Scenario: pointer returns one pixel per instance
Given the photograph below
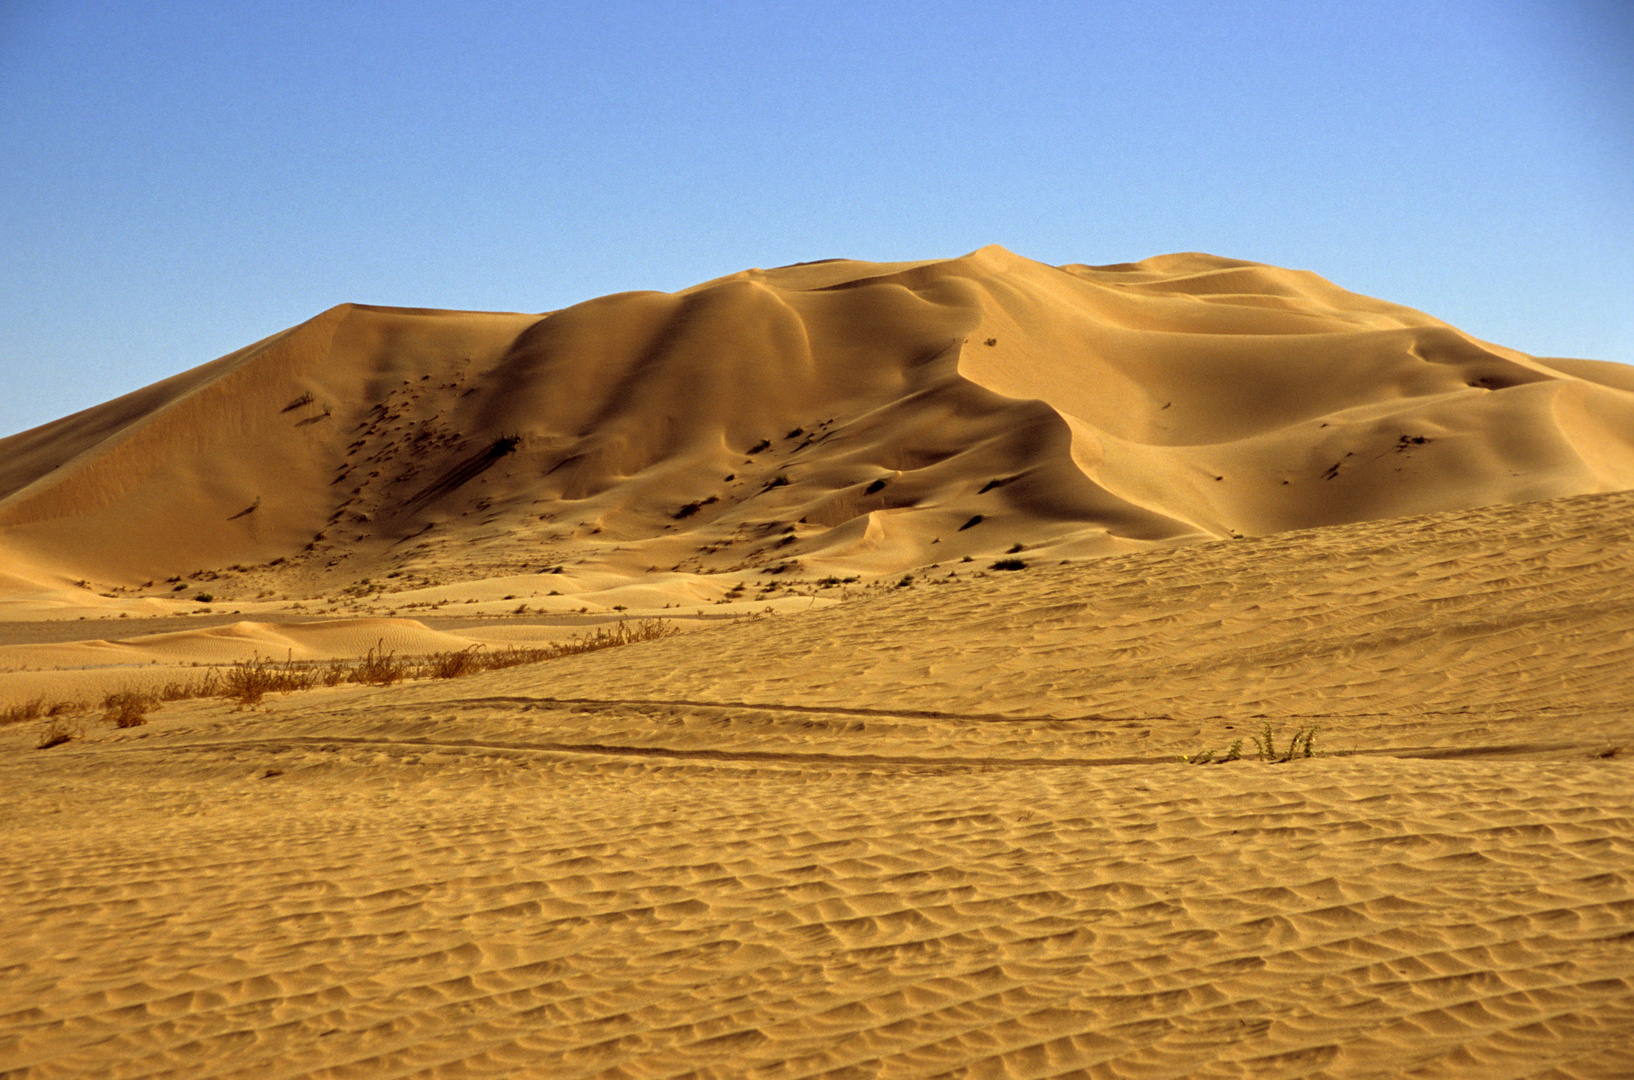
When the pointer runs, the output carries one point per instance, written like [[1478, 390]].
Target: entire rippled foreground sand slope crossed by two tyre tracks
[[935, 834]]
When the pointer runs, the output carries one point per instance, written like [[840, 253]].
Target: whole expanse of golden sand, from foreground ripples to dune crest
[[929, 823]]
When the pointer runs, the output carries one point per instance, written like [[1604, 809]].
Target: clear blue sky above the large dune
[[182, 179]]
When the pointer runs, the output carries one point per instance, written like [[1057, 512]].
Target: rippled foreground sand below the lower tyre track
[[398, 911]]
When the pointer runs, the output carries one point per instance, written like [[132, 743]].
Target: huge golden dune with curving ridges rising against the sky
[[829, 417]]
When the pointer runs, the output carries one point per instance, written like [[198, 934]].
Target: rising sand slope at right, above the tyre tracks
[[1442, 618]]
